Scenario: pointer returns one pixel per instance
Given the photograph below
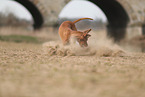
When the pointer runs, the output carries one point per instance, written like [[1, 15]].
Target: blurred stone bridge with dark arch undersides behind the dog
[[120, 13]]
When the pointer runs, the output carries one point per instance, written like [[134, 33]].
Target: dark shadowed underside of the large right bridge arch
[[118, 18]]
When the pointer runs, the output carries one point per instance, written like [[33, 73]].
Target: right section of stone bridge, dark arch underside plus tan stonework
[[126, 17]]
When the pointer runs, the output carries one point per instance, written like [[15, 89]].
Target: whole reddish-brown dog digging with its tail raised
[[68, 29]]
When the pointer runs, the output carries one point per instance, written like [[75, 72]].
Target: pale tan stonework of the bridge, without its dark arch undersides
[[135, 9]]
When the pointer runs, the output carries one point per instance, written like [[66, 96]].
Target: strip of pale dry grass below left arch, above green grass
[[47, 34]]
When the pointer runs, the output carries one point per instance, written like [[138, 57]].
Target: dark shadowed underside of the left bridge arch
[[33, 9]]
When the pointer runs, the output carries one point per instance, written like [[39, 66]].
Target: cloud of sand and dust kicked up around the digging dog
[[99, 45]]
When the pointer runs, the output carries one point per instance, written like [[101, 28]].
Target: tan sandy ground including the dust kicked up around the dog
[[104, 69]]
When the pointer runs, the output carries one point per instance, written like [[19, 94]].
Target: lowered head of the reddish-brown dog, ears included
[[82, 37]]
